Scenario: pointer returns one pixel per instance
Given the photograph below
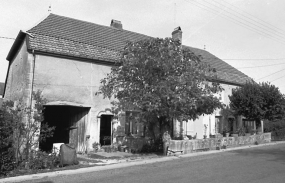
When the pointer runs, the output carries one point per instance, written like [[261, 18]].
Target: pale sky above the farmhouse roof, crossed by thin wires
[[247, 34]]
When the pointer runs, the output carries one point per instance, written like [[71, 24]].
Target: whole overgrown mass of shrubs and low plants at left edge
[[20, 133]]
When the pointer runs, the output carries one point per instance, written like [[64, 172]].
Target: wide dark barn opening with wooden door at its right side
[[70, 124]]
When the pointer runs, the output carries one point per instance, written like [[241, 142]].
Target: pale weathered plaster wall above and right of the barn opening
[[73, 81]]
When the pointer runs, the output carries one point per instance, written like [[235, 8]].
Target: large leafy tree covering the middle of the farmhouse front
[[162, 80]]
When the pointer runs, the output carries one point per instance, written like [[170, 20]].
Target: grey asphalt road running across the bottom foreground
[[264, 164]]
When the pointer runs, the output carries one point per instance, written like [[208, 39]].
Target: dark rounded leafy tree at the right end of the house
[[257, 102]]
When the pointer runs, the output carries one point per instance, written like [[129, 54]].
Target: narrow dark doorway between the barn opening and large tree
[[106, 129]]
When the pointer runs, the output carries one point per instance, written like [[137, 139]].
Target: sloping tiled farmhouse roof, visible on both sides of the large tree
[[71, 37]]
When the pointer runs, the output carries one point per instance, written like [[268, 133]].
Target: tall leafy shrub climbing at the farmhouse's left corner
[[29, 129]]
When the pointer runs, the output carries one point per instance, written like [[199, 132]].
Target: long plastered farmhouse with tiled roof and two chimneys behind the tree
[[66, 58]]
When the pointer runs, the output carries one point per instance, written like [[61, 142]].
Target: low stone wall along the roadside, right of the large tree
[[190, 146]]
